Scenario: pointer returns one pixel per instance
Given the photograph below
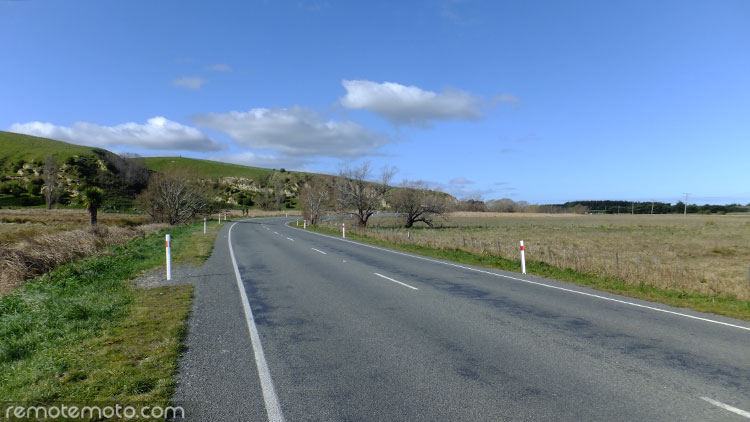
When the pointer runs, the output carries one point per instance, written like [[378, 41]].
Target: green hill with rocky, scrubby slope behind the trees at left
[[22, 163]]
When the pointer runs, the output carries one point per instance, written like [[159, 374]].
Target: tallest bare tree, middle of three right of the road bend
[[356, 192]]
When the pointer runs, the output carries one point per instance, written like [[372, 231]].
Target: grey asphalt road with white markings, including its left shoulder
[[351, 332]]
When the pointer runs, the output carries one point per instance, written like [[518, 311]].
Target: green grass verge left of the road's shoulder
[[83, 334]]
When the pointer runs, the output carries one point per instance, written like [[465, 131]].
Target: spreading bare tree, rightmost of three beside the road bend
[[417, 203]]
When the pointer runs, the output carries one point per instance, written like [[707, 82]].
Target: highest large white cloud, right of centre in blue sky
[[409, 104]]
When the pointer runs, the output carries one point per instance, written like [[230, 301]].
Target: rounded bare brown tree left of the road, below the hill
[[174, 197]]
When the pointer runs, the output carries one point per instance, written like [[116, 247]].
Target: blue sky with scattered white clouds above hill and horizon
[[542, 101]]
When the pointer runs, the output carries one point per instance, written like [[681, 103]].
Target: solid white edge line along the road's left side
[[273, 409]]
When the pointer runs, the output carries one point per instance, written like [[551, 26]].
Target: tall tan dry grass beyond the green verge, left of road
[[37, 255]]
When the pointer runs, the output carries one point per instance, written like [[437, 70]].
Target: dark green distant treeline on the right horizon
[[627, 207]]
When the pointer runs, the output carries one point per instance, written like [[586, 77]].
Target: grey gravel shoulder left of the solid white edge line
[[217, 378]]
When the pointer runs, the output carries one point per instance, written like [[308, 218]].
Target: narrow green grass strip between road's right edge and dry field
[[721, 305]]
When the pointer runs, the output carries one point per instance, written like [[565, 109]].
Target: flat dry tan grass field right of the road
[[705, 254]]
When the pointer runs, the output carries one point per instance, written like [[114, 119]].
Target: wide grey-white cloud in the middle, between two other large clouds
[[294, 131]]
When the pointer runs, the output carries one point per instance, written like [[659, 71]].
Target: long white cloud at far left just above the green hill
[[157, 133]]
